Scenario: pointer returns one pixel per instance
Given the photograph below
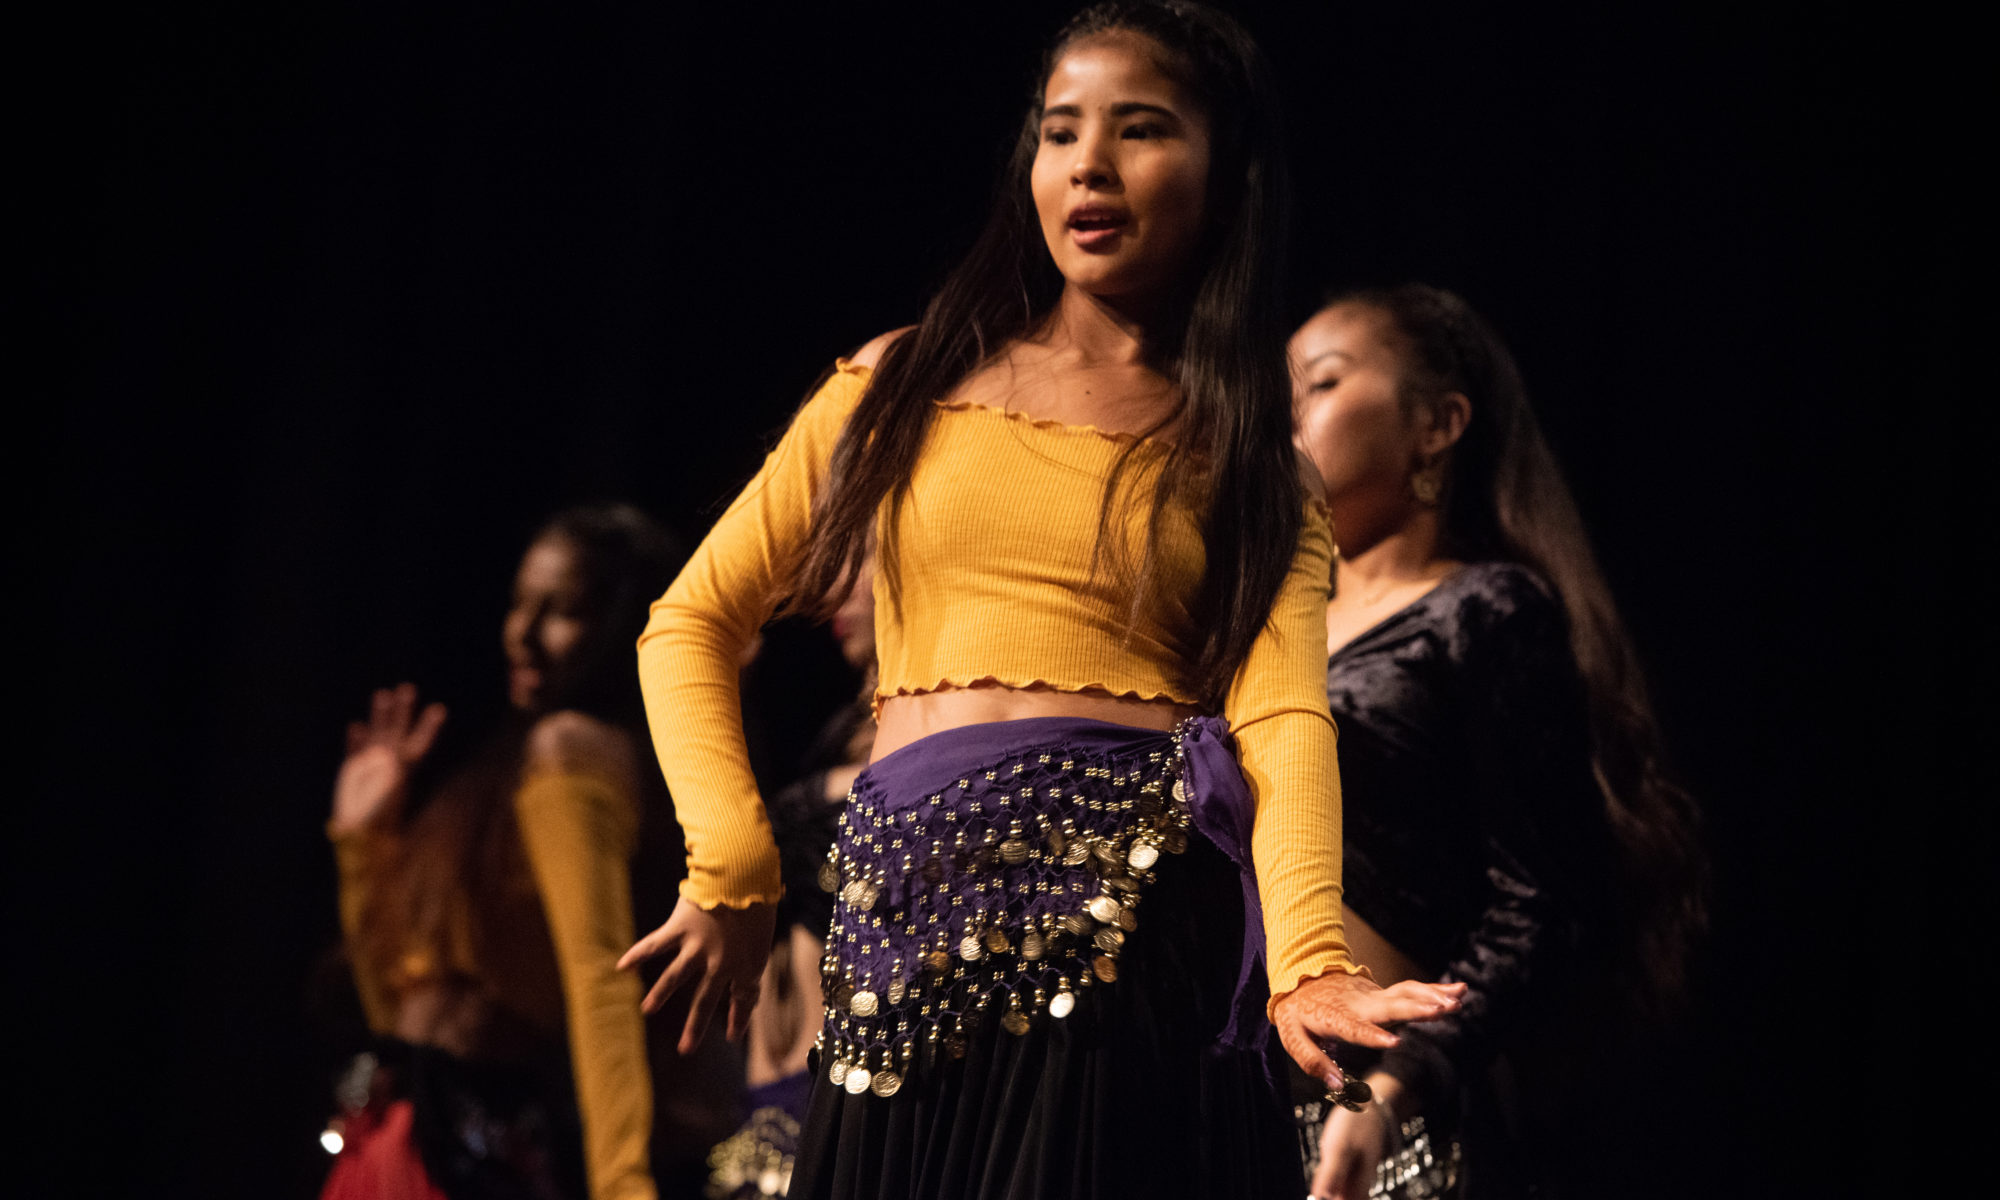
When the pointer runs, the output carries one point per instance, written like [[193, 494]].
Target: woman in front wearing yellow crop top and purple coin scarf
[[1059, 893]]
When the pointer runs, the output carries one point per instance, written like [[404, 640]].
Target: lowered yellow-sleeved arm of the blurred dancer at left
[[579, 827]]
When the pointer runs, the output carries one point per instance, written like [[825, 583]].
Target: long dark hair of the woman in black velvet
[[1505, 499]]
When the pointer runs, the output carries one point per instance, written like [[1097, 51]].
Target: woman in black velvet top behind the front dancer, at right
[[1509, 821]]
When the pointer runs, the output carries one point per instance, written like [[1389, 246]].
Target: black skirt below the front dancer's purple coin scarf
[[1131, 1097]]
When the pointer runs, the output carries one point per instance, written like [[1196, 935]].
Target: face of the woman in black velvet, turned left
[[1347, 403]]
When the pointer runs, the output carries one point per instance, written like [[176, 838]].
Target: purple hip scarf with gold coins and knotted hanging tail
[[997, 871]]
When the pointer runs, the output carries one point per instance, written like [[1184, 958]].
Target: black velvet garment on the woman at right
[[1475, 843]]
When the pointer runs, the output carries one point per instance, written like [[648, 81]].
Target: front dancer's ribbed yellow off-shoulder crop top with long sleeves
[[1003, 513]]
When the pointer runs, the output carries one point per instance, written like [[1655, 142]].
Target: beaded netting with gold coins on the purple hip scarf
[[995, 897]]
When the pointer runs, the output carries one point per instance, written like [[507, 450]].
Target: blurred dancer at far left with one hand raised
[[485, 915]]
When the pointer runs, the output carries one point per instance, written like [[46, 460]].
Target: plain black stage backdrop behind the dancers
[[349, 297]]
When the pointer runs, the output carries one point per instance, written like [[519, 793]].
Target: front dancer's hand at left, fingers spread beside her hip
[[721, 951]]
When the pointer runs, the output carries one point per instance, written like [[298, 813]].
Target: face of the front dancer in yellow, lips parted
[[1123, 169]]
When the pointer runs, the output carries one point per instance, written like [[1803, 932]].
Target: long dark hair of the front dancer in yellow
[[1225, 347]]
